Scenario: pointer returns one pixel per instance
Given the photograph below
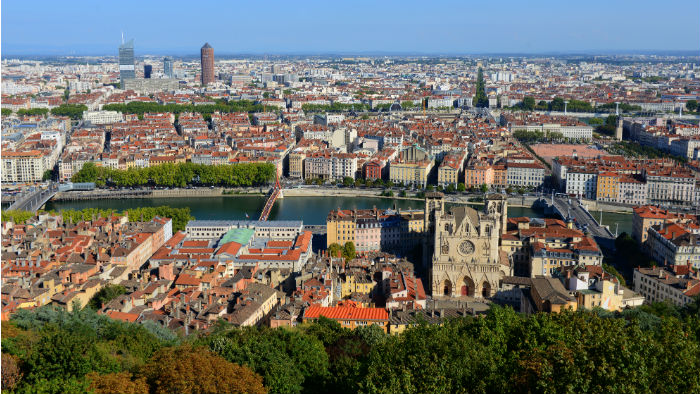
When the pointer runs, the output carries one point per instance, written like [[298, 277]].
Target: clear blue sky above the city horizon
[[337, 26]]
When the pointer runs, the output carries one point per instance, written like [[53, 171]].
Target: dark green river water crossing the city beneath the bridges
[[312, 210]]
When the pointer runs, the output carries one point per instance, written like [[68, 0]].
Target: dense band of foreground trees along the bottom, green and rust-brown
[[649, 349]]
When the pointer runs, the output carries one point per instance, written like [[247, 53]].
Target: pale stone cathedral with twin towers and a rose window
[[466, 258]]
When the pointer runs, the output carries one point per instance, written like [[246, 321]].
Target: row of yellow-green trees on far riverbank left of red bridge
[[179, 175]]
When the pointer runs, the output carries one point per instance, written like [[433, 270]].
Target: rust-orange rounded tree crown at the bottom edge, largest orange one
[[189, 370]]
